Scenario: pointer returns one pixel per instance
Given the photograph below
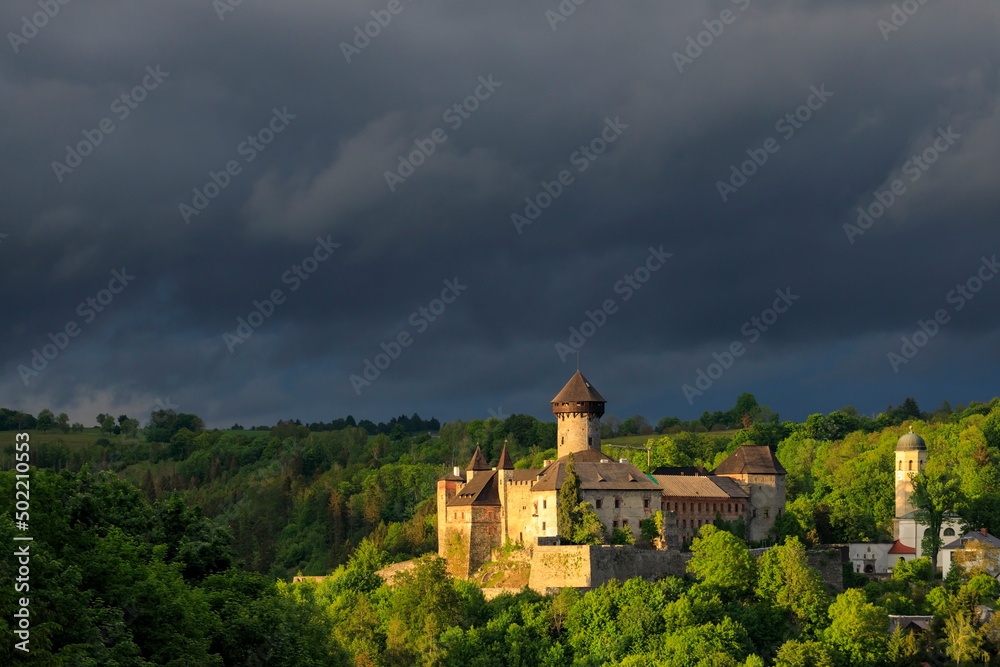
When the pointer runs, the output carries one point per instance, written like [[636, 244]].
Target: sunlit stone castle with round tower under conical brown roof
[[486, 507]]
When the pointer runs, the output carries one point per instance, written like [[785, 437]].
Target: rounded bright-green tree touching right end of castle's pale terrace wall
[[722, 562]]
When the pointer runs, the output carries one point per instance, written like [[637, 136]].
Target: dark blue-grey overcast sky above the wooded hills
[[309, 115]]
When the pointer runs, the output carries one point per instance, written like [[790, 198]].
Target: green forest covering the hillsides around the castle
[[173, 544]]
